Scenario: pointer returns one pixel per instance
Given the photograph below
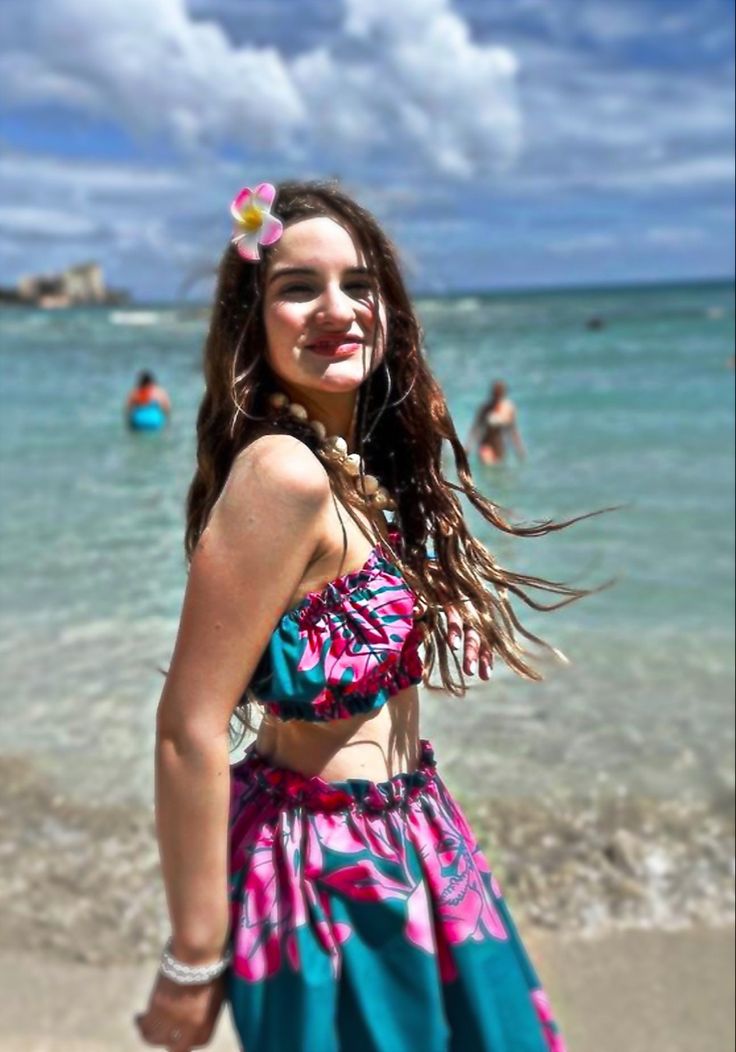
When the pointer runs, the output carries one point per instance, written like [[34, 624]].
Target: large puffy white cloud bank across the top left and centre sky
[[428, 90]]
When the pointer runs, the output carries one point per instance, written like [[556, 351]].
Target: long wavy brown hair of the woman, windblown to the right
[[403, 424]]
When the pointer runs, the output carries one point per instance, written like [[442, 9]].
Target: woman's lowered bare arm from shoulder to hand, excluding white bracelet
[[262, 535]]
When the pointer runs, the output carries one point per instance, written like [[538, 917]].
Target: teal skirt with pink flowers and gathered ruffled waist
[[365, 919]]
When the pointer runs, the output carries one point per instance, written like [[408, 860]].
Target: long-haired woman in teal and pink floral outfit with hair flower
[[328, 885]]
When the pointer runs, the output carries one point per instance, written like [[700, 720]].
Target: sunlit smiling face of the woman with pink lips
[[322, 321]]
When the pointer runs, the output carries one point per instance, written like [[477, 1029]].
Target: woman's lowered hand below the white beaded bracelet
[[181, 1018]]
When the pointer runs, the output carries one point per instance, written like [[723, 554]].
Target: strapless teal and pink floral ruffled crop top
[[345, 650]]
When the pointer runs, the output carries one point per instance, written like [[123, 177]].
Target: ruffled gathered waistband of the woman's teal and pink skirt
[[292, 790]]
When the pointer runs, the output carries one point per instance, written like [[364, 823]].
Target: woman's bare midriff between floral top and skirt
[[373, 745]]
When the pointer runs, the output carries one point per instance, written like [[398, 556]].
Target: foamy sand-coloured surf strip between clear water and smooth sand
[[584, 868]]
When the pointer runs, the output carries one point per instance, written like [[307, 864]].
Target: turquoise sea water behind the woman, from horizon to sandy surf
[[640, 413]]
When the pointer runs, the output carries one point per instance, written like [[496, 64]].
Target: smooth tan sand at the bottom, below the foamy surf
[[643, 992]]
